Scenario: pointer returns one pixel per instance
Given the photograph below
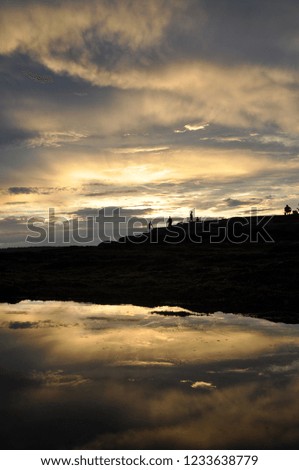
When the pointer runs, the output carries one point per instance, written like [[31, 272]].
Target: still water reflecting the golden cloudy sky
[[119, 377]]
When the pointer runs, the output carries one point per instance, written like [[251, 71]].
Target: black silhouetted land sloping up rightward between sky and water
[[256, 277]]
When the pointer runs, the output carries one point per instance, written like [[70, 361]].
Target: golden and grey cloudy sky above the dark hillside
[[155, 107]]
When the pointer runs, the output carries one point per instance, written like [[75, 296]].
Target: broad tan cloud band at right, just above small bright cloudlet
[[239, 96]]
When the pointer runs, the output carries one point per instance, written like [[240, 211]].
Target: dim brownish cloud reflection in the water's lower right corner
[[251, 403]]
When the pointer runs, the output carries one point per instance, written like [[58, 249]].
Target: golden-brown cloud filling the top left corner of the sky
[[130, 25]]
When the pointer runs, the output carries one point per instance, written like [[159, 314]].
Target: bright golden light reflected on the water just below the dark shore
[[130, 335]]
